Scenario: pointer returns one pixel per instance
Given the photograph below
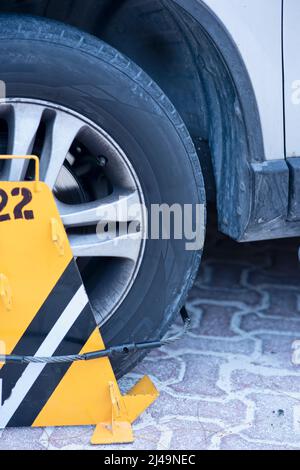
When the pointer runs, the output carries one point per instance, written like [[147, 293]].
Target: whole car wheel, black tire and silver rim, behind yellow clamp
[[103, 130]]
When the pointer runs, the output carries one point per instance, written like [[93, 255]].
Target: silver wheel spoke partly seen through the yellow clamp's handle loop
[[23, 127]]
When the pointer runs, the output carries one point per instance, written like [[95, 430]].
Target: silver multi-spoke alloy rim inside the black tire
[[66, 142]]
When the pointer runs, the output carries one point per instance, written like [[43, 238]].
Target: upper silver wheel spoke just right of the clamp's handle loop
[[60, 134]]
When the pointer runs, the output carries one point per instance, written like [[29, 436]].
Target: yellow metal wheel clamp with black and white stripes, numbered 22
[[52, 372]]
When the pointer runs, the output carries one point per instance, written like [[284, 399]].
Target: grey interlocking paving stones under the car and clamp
[[230, 384]]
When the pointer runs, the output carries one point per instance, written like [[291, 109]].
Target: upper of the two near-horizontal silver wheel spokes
[[121, 206]]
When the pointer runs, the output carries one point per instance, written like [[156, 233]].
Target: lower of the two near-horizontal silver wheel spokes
[[106, 245]]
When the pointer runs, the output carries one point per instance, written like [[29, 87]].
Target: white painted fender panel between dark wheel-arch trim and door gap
[[255, 27]]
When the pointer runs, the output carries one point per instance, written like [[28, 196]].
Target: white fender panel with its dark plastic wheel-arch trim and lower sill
[[248, 36]]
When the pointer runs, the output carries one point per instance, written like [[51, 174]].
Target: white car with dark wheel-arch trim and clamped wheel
[[156, 102]]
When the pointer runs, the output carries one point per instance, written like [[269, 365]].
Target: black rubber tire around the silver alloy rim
[[50, 61]]
